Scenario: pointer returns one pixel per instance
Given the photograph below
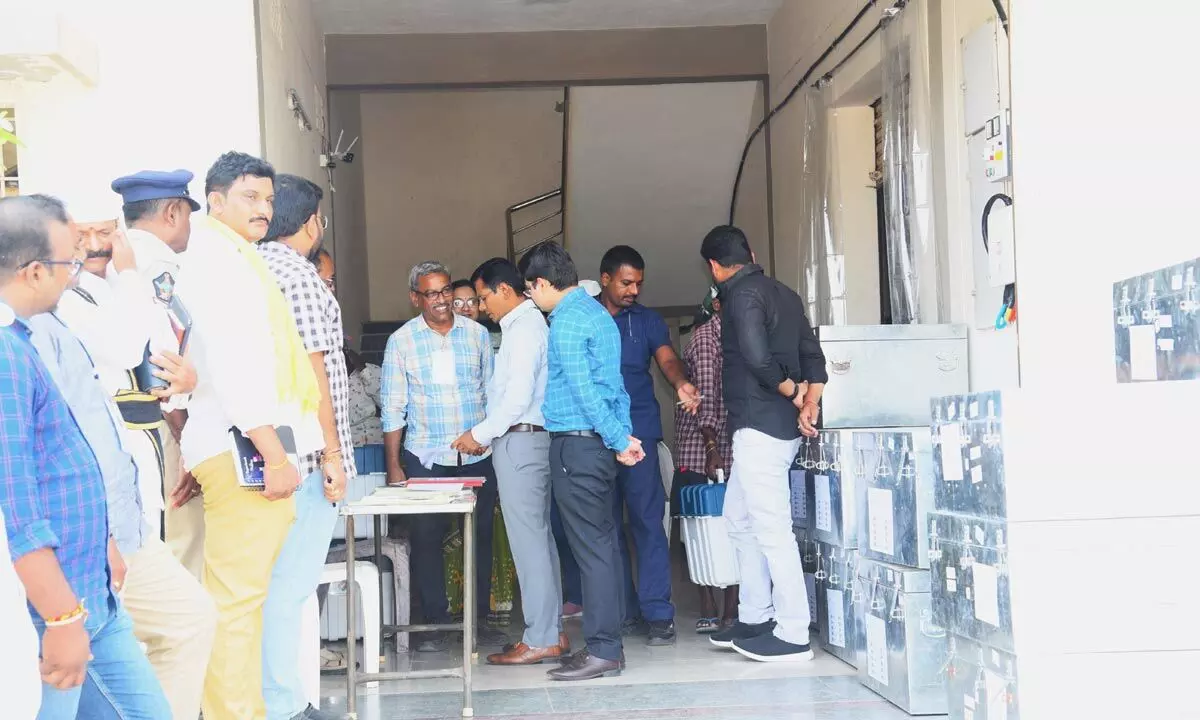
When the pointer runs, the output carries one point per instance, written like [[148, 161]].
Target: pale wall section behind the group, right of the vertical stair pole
[[652, 167]]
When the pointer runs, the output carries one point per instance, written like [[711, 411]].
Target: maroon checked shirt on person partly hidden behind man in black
[[704, 359]]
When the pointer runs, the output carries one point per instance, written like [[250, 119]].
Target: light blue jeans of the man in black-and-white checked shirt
[[293, 580]]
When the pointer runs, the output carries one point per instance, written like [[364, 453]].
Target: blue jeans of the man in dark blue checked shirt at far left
[[121, 683]]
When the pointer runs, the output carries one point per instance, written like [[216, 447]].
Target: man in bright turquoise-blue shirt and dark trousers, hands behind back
[[587, 416]]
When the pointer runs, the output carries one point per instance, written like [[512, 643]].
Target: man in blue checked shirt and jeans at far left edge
[[52, 493]]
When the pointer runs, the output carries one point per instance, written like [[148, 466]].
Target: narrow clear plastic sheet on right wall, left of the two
[[824, 257]]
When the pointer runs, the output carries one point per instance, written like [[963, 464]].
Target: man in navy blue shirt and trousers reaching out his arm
[[644, 338]]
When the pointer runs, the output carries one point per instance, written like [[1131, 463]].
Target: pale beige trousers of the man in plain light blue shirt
[[176, 620]]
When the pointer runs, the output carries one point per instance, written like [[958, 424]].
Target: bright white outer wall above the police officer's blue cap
[[177, 88]]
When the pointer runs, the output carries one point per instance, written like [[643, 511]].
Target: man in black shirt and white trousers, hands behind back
[[775, 375]]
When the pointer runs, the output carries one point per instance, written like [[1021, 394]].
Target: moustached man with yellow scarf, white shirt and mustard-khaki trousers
[[239, 313]]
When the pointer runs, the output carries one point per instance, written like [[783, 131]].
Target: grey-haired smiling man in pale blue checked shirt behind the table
[[435, 377]]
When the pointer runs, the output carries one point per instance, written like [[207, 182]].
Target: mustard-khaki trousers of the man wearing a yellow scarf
[[244, 535]]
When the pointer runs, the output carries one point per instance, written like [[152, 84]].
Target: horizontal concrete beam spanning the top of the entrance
[[675, 53]]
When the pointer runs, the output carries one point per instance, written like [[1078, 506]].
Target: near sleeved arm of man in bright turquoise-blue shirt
[[591, 357]]
